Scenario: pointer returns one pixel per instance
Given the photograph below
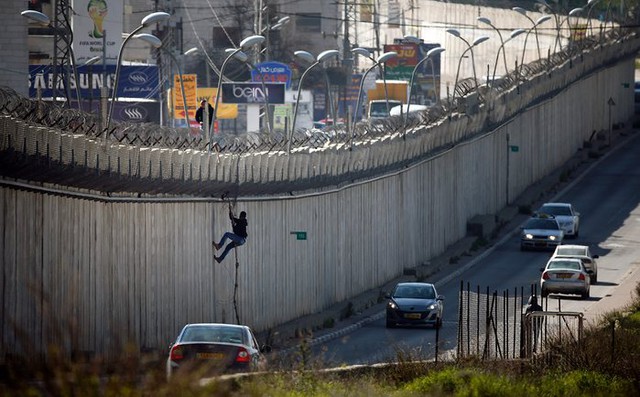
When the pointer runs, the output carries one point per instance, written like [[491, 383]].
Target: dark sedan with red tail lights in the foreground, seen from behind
[[213, 349]]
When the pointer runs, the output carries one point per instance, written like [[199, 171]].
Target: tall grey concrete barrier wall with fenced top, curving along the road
[[90, 272]]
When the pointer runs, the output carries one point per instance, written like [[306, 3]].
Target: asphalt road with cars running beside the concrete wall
[[607, 196]]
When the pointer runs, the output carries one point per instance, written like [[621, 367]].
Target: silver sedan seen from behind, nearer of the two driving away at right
[[565, 276]]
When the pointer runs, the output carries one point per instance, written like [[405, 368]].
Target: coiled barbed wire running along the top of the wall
[[154, 135]]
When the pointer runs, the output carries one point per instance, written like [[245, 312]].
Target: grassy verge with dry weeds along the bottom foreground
[[605, 363]]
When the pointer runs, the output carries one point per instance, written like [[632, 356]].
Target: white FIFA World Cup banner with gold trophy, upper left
[[97, 25]]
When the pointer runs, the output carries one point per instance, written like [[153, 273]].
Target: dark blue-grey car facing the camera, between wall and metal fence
[[414, 304]]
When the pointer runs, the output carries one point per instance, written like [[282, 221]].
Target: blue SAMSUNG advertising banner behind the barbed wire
[[134, 82]]
